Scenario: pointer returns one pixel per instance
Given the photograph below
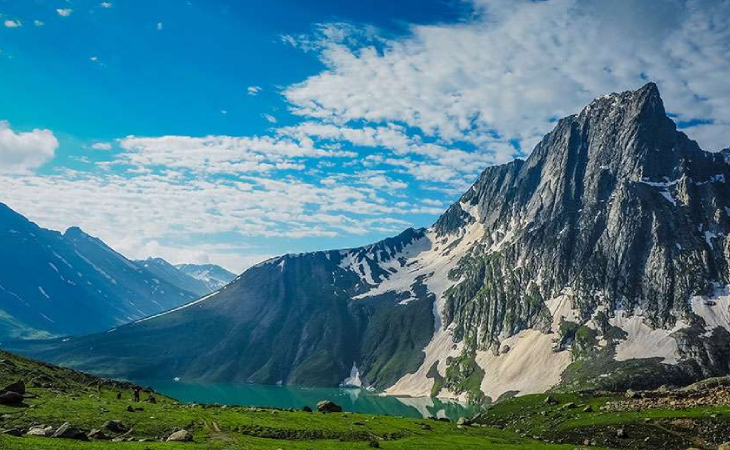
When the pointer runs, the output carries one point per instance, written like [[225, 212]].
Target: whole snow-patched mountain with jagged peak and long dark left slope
[[600, 261]]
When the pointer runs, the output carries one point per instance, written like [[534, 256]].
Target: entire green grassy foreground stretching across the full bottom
[[697, 416]]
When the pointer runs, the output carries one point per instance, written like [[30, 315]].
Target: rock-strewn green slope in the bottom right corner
[[670, 419]]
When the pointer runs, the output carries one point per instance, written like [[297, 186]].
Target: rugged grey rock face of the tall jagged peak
[[614, 203]]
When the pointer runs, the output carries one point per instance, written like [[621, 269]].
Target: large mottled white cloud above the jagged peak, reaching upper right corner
[[505, 75]]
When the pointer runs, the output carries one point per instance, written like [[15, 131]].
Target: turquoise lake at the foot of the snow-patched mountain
[[351, 400]]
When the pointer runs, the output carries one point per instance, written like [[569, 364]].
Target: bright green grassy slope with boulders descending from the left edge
[[87, 403]]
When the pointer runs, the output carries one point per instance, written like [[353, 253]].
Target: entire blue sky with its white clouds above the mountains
[[230, 131]]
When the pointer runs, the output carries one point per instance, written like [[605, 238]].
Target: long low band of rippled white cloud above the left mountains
[[148, 206]]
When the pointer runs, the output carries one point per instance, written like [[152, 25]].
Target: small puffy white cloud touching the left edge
[[25, 150]]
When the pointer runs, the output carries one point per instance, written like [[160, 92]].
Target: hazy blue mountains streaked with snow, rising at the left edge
[[57, 284]]
